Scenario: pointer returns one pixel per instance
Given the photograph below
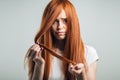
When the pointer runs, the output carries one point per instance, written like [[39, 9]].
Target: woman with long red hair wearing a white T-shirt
[[60, 31]]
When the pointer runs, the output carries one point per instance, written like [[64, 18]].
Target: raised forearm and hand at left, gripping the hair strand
[[36, 63]]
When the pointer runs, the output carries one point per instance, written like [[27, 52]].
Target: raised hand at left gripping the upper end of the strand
[[35, 54]]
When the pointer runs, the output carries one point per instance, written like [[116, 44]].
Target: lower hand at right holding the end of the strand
[[76, 69]]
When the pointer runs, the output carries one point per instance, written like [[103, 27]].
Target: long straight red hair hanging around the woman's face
[[74, 47]]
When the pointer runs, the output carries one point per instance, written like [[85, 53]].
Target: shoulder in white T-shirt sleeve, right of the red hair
[[91, 54]]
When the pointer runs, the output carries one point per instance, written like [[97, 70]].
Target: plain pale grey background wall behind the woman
[[20, 19]]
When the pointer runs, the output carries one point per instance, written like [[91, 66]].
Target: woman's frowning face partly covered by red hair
[[59, 27]]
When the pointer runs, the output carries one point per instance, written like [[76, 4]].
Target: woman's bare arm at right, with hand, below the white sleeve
[[90, 74]]
